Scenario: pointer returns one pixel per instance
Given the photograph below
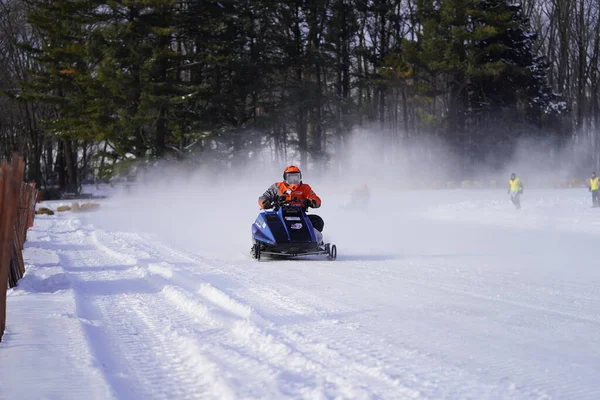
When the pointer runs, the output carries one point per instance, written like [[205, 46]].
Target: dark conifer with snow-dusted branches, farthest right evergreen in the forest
[[506, 42]]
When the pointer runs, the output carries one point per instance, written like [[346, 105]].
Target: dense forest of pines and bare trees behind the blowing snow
[[436, 88]]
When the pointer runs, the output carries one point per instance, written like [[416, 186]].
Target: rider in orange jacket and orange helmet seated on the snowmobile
[[295, 193]]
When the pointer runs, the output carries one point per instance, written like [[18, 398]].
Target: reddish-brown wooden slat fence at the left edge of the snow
[[17, 210]]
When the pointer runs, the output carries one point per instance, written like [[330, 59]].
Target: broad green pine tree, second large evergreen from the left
[[136, 84]]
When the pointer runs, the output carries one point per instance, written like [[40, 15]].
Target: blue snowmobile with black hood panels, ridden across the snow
[[286, 231]]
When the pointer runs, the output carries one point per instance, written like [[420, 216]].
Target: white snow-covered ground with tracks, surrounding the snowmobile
[[441, 294]]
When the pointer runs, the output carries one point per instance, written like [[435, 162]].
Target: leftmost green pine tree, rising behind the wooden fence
[[62, 78]]
